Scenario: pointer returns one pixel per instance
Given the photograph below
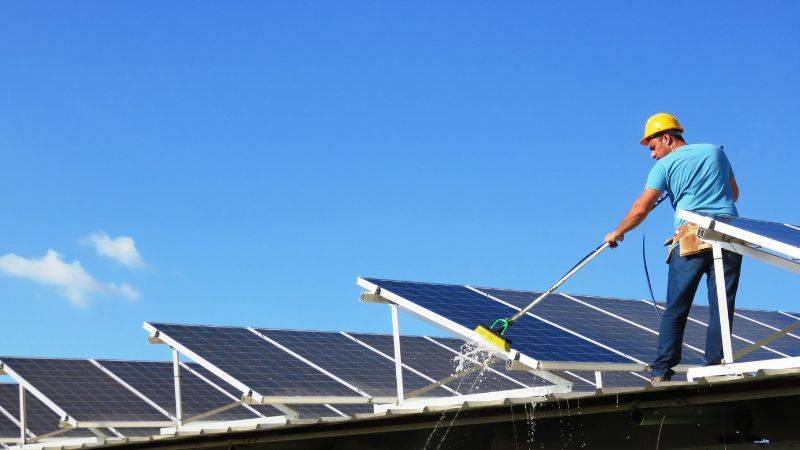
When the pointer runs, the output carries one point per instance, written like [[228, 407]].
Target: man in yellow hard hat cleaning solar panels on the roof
[[697, 177]]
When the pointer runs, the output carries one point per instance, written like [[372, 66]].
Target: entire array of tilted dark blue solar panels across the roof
[[230, 362]]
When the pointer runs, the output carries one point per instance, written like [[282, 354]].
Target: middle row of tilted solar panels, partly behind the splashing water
[[354, 364]]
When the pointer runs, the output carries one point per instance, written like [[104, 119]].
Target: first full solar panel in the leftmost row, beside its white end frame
[[84, 391]]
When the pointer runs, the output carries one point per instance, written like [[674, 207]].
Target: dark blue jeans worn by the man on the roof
[[685, 273]]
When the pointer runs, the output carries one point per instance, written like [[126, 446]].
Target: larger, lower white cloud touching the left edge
[[71, 279]]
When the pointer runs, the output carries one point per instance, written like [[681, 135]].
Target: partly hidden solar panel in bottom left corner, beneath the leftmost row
[[40, 418]]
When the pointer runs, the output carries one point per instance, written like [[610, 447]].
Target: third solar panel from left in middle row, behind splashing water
[[439, 363]]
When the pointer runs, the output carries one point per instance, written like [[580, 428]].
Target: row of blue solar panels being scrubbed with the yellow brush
[[570, 328]]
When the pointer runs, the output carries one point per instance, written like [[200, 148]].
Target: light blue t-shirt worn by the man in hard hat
[[697, 178]]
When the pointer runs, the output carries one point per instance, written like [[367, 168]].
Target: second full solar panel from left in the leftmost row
[[155, 381]]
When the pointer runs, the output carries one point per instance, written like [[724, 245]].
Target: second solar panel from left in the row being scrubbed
[[591, 323]]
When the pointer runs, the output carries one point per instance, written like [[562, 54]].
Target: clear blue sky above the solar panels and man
[[262, 155]]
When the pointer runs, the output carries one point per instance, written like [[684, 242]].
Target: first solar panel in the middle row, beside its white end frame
[[250, 359]]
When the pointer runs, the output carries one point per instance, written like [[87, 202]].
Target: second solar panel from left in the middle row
[[350, 361]]
